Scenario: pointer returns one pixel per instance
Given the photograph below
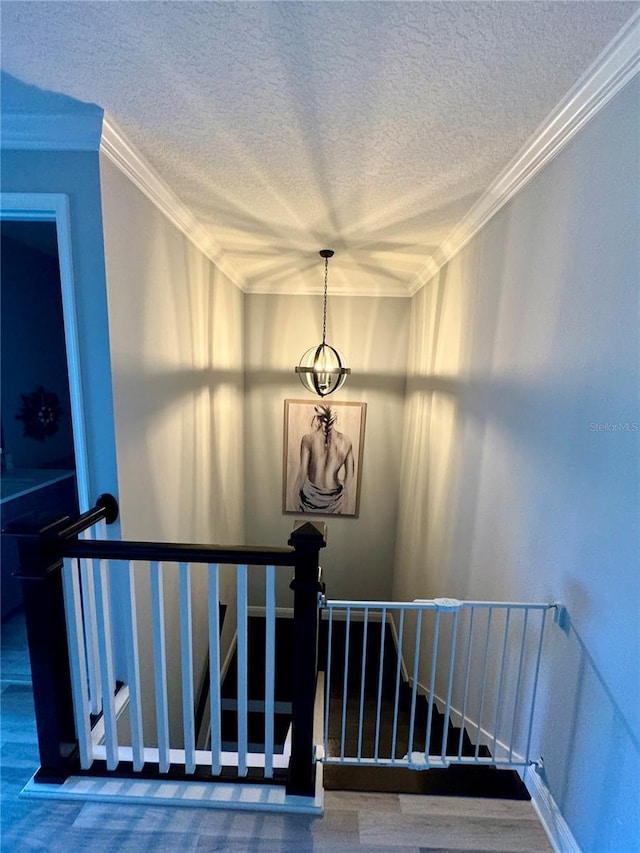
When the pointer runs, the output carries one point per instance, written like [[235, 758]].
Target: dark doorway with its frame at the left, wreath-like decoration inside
[[44, 472]]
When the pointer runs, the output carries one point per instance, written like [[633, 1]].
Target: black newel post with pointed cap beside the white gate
[[307, 540]]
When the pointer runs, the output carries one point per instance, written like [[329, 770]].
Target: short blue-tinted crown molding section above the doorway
[[51, 131]]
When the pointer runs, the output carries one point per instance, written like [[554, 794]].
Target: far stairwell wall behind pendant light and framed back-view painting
[[372, 336]]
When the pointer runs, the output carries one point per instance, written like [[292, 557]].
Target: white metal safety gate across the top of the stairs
[[431, 683]]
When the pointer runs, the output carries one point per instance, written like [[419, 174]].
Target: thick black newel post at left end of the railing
[[40, 571]]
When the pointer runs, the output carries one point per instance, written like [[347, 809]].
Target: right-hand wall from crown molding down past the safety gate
[[520, 347]]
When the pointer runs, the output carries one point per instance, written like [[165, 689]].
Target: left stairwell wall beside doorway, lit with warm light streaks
[[176, 349]]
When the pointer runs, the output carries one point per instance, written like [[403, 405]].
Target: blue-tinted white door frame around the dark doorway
[[54, 207]]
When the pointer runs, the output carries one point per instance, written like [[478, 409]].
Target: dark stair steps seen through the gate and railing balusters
[[456, 780]]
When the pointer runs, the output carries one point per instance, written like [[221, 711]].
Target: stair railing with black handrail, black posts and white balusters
[[68, 582]]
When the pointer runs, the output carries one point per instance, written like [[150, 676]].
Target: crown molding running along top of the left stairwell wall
[[116, 147]]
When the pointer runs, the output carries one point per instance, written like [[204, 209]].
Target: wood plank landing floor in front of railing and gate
[[398, 823]]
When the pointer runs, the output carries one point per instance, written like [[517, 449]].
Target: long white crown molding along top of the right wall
[[616, 66]]
